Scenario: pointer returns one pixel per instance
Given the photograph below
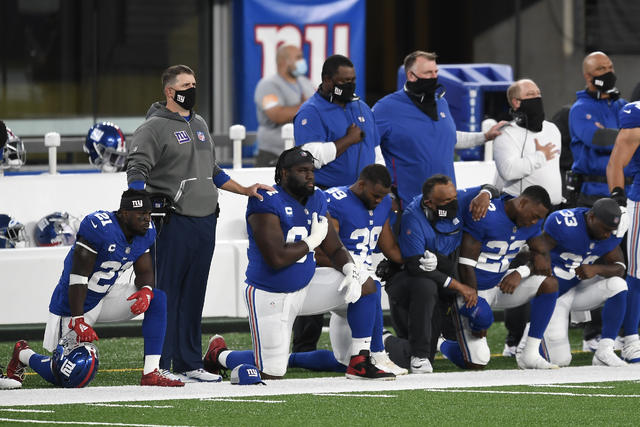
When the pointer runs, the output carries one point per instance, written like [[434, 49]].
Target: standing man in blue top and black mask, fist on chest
[[337, 127]]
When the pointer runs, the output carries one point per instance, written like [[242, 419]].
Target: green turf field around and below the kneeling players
[[561, 403]]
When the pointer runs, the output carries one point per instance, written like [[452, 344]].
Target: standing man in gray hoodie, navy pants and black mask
[[172, 153]]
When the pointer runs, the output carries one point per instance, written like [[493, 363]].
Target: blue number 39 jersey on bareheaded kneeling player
[[359, 226]]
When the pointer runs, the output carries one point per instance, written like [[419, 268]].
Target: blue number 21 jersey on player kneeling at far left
[[114, 255]]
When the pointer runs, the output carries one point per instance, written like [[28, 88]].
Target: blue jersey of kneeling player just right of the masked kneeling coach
[[501, 241]]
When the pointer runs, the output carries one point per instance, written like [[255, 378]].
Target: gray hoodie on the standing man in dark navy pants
[[176, 158]]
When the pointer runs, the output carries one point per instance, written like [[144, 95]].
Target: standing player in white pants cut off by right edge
[[626, 157]]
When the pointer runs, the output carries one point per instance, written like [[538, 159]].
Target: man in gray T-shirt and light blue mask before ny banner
[[278, 99]]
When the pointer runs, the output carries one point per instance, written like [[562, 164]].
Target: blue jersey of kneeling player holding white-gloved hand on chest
[[295, 221]]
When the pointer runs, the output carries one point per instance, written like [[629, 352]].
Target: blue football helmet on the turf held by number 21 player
[[74, 364]]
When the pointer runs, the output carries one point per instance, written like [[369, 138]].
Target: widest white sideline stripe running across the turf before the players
[[444, 380]]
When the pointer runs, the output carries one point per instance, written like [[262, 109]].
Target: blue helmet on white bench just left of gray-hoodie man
[[106, 147]]
